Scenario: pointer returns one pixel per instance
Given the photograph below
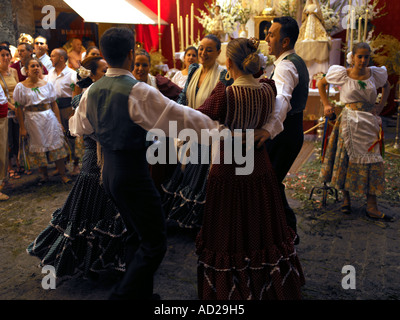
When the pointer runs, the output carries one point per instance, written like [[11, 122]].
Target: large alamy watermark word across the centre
[[234, 145]]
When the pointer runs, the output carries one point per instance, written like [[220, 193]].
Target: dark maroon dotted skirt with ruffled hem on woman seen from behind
[[252, 256]]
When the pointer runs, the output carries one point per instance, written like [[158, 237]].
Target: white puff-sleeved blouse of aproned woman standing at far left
[[28, 96]]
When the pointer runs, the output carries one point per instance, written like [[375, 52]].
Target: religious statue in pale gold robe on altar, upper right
[[312, 27]]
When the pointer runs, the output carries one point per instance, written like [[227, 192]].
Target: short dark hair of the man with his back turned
[[115, 45]]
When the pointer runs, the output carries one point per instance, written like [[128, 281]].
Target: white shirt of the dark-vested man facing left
[[286, 79]]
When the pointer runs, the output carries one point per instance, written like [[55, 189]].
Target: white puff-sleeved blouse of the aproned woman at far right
[[351, 89]]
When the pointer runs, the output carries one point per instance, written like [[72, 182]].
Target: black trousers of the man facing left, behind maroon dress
[[283, 151]]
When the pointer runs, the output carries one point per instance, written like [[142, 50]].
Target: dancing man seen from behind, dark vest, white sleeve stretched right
[[120, 110]]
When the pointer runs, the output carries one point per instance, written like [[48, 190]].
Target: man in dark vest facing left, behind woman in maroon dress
[[284, 131]]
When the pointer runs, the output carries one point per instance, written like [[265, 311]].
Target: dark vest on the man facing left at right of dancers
[[300, 92]]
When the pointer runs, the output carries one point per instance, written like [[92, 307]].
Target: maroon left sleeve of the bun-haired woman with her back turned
[[216, 104]]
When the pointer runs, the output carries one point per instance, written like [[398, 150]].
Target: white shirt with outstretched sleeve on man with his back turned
[[149, 109]]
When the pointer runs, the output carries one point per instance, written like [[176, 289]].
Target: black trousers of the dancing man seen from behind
[[127, 180]]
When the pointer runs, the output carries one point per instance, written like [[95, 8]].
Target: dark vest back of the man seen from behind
[[107, 112]]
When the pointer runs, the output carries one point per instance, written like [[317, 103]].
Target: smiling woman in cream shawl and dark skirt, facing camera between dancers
[[184, 193]]
